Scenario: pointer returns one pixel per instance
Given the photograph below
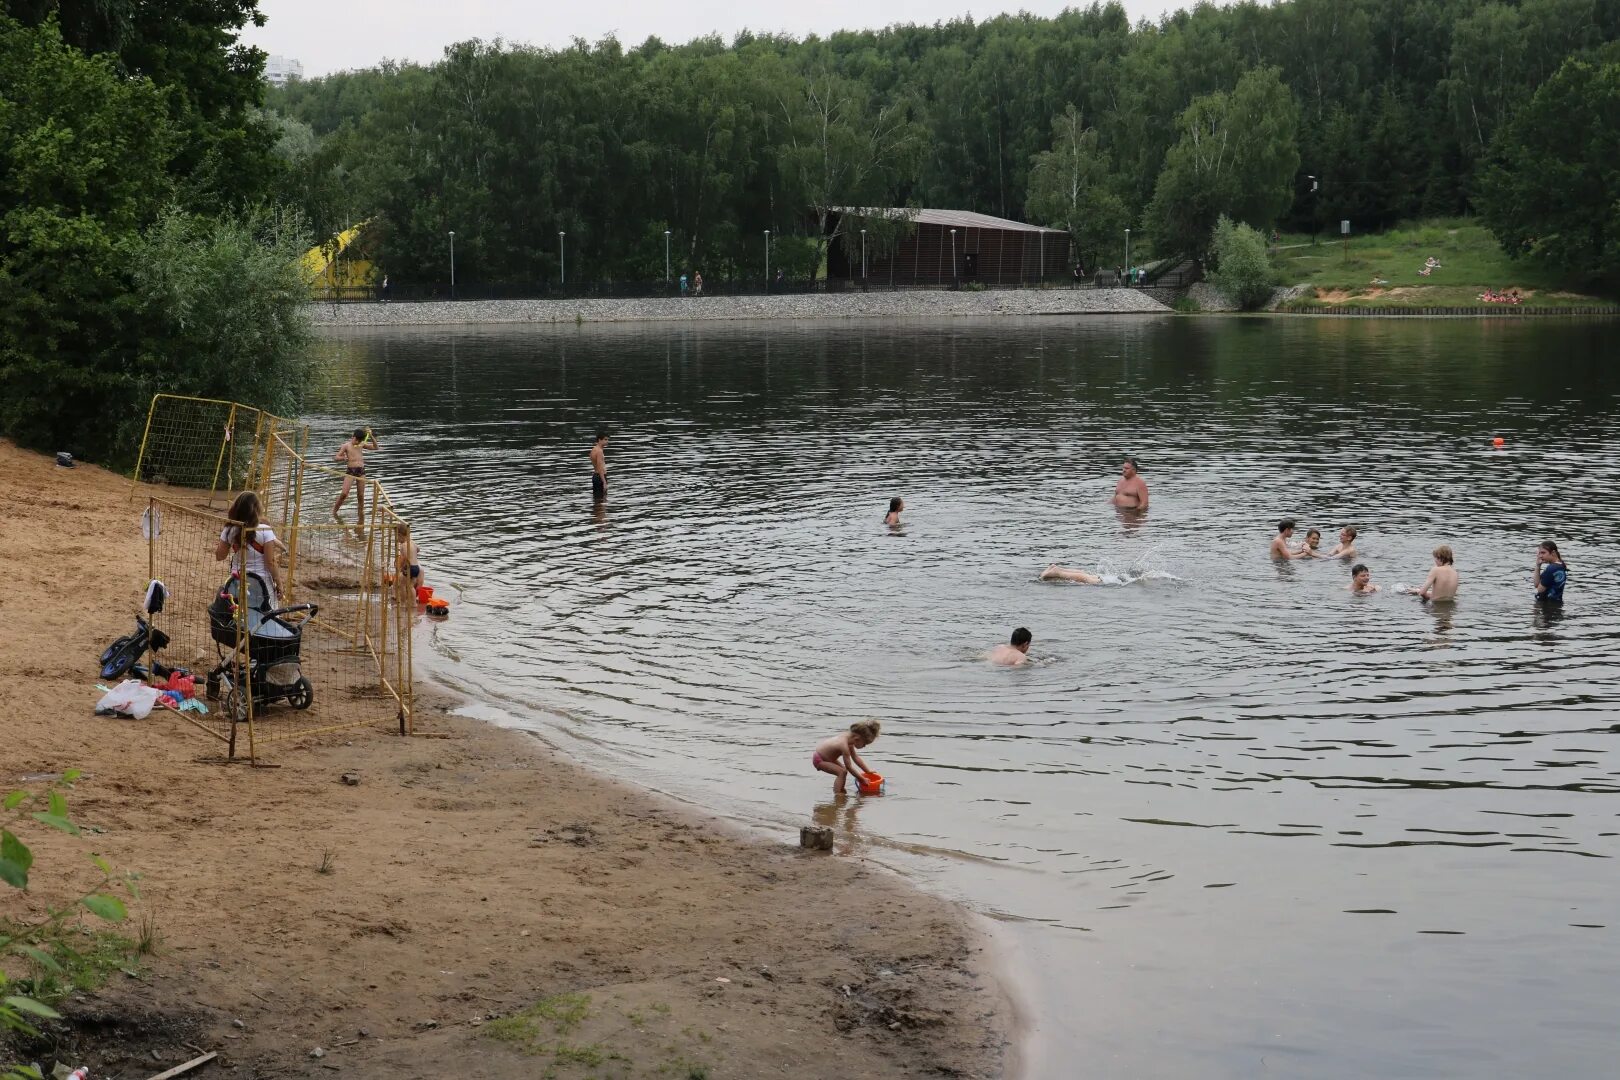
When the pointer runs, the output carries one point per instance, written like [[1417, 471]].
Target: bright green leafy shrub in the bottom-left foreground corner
[[51, 946]]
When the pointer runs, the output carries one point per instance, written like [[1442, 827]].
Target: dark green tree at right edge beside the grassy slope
[[1550, 190]]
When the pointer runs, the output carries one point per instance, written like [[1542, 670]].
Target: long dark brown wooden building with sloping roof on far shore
[[949, 249]]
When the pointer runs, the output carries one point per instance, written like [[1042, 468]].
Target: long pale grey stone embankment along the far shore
[[887, 305]]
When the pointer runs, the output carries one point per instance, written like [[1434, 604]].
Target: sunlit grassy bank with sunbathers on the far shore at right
[[1384, 271]]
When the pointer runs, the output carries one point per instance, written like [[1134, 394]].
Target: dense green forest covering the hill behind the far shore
[[1292, 114]]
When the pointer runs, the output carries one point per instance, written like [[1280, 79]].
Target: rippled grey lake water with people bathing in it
[[1235, 820]]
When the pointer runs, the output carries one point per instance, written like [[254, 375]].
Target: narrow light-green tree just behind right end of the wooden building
[[1072, 187]]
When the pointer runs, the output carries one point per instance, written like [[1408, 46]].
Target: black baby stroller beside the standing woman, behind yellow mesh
[[271, 666]]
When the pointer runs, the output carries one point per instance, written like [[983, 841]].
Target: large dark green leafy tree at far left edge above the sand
[[83, 169]]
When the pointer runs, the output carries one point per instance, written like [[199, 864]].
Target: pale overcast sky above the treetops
[[339, 35]]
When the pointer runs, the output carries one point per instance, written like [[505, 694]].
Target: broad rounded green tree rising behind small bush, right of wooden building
[[1237, 156]]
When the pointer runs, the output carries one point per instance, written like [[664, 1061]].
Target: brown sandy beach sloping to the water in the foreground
[[475, 908]]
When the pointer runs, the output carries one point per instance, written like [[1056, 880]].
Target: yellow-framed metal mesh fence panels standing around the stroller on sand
[[341, 657]]
